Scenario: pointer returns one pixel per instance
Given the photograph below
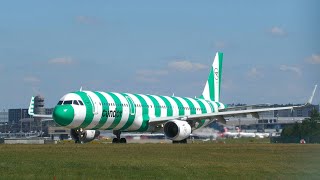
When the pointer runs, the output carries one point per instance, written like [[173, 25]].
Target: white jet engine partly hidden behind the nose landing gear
[[83, 136]]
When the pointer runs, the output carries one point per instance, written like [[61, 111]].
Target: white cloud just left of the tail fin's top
[[186, 66]]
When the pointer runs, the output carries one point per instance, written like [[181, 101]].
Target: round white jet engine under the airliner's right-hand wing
[[177, 130]]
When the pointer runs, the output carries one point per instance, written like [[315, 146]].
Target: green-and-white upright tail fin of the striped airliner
[[212, 89]]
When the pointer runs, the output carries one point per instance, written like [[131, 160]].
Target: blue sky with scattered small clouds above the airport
[[271, 49]]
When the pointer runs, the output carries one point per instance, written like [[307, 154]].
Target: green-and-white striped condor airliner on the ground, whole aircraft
[[87, 112]]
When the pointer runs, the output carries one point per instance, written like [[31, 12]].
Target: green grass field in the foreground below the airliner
[[160, 161]]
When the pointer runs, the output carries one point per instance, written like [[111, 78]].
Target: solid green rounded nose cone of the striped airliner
[[63, 115]]
